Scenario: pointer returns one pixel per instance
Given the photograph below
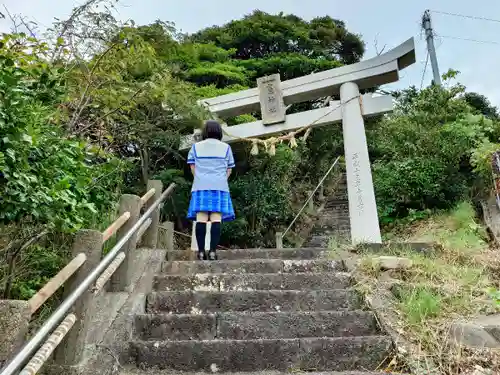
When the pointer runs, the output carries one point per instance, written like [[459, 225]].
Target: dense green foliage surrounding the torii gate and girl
[[97, 107]]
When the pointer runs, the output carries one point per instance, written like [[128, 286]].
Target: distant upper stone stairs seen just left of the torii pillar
[[333, 221]]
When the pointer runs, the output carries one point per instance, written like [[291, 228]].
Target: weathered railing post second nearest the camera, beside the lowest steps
[[90, 243]]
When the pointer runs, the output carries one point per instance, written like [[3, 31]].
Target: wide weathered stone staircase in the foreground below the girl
[[265, 311]]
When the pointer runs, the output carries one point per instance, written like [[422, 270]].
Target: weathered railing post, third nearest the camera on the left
[[122, 278]]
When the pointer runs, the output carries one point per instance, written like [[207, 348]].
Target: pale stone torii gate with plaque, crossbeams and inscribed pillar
[[272, 96]]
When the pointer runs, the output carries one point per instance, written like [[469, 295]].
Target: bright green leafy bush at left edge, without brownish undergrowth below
[[46, 178]]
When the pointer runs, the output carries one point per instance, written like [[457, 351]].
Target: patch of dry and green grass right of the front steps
[[455, 281]]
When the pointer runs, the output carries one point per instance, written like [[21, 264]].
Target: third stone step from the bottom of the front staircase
[[189, 302]]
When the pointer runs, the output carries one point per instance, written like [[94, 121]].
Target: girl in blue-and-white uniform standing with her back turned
[[211, 161]]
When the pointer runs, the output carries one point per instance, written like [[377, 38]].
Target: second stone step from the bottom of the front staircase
[[251, 326]]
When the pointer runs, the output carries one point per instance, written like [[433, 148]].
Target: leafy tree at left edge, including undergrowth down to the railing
[[49, 184]]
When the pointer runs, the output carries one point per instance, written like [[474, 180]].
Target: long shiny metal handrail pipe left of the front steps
[[14, 365]]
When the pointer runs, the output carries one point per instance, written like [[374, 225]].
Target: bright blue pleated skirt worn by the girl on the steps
[[211, 201]]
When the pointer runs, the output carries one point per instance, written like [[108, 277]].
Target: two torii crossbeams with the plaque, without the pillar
[[365, 74]]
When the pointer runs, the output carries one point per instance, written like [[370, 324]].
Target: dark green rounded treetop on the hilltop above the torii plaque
[[260, 34]]
